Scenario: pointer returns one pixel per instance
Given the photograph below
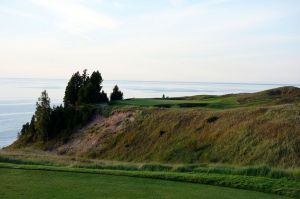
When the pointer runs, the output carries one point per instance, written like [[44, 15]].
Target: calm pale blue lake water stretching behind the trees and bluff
[[18, 96]]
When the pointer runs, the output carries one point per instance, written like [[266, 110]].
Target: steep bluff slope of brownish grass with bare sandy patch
[[244, 136]]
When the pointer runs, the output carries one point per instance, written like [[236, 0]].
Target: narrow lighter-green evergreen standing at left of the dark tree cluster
[[42, 116]]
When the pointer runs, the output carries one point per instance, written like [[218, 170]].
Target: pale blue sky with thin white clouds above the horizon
[[255, 41]]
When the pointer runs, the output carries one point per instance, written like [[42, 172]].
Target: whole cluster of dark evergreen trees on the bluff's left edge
[[82, 95]]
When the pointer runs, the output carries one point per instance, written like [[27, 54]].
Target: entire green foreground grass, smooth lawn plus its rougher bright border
[[12, 174]]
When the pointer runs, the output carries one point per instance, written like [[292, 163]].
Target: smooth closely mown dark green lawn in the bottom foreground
[[17, 183]]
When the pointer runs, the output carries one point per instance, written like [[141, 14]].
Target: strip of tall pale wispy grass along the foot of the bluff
[[262, 171]]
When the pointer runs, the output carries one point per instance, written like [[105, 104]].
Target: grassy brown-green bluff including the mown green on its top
[[241, 129]]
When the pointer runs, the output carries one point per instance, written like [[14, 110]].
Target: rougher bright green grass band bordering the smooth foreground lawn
[[262, 184]]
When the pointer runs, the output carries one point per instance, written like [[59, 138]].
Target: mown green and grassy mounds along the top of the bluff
[[269, 97]]
